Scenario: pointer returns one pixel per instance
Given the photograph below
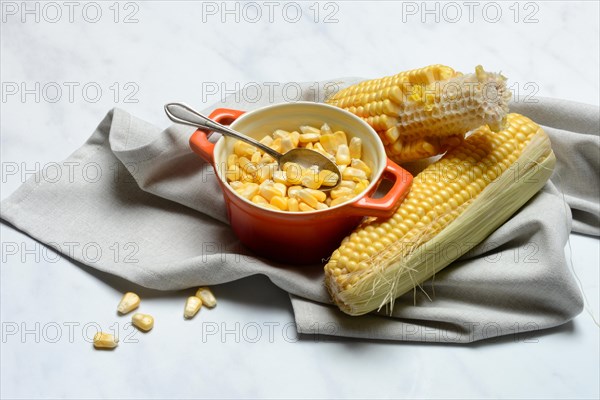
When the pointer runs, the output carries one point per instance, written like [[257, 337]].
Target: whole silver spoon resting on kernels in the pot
[[184, 114]]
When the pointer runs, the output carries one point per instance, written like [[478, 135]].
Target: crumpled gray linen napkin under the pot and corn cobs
[[143, 192]]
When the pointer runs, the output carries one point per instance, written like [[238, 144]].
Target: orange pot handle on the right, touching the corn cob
[[385, 206]]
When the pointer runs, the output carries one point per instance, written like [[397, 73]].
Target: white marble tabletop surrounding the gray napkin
[[172, 52]]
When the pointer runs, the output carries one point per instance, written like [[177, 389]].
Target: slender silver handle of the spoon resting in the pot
[[184, 114]]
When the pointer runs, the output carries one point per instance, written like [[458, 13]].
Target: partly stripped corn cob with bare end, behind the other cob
[[414, 111]]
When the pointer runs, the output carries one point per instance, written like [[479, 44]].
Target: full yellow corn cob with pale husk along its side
[[454, 204]]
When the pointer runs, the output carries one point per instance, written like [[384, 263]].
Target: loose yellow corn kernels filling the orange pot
[[256, 176]]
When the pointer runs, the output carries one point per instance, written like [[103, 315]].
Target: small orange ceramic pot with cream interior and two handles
[[301, 237]]
